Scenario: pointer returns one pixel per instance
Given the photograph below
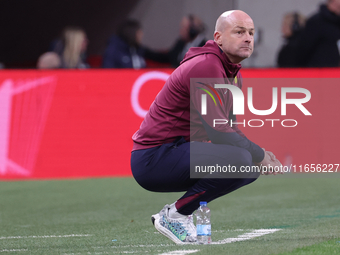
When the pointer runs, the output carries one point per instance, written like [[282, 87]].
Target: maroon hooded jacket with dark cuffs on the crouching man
[[176, 110]]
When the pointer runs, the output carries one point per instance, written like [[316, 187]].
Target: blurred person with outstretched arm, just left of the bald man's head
[[191, 35]]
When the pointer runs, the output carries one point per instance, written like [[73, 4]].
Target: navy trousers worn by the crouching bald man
[[166, 168]]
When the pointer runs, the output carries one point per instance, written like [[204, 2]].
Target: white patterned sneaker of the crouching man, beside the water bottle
[[179, 229]]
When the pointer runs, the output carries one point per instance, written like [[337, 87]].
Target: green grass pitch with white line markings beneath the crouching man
[[115, 214]]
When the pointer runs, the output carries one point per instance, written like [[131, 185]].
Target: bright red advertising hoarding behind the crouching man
[[79, 123]]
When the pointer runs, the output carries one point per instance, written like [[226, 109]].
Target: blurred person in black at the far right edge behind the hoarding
[[320, 41]]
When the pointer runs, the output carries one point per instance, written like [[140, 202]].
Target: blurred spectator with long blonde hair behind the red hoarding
[[74, 48]]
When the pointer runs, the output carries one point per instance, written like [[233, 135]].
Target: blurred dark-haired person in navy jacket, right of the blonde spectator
[[124, 49]]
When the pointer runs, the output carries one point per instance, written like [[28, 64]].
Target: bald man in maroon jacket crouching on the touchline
[[175, 137]]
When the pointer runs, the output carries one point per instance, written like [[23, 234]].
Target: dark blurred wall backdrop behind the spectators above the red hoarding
[[28, 27]]
